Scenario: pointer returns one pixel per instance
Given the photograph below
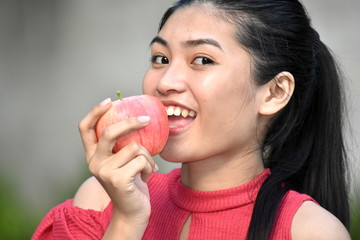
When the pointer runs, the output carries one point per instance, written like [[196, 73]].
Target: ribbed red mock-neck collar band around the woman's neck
[[211, 201]]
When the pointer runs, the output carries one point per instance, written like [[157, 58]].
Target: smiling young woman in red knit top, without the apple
[[262, 156]]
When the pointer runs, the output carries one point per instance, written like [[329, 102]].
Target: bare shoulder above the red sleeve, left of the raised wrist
[[91, 195]]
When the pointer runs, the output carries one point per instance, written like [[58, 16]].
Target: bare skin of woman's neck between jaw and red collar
[[221, 173]]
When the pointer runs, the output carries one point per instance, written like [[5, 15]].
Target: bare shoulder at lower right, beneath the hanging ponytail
[[311, 221]]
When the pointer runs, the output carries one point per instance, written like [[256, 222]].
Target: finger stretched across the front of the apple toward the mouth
[[112, 133]]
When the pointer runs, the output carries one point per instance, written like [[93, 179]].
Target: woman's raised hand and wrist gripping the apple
[[124, 174]]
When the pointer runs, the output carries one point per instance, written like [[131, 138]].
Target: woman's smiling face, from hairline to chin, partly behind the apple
[[200, 71]]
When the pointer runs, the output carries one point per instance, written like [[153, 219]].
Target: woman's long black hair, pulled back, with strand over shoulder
[[304, 145]]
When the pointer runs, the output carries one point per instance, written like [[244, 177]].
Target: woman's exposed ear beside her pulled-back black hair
[[277, 93]]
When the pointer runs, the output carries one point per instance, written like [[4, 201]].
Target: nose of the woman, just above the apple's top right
[[173, 80]]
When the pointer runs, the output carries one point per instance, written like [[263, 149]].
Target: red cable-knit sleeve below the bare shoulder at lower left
[[67, 222]]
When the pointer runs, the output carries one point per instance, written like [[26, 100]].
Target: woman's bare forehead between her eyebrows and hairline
[[197, 22]]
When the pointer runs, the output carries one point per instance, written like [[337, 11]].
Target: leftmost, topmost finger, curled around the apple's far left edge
[[88, 123]]
